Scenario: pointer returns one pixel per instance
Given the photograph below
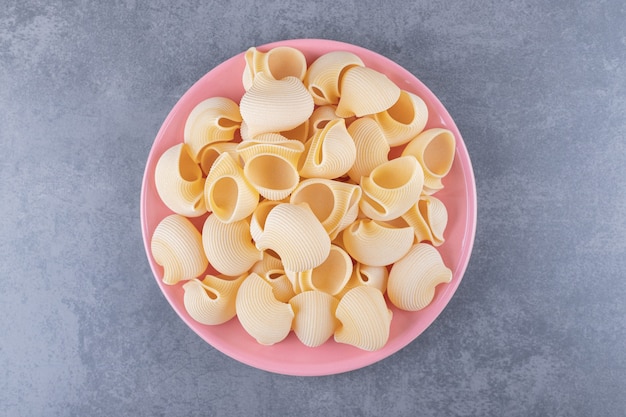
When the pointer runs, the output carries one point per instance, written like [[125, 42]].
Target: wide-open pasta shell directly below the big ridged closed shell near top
[[272, 167]]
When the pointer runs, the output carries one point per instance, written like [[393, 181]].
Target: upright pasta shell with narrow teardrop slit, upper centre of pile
[[330, 153]]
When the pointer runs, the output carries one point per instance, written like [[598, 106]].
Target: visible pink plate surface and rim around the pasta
[[290, 356]]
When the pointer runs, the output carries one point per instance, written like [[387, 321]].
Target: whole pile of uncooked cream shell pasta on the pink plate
[[311, 226]]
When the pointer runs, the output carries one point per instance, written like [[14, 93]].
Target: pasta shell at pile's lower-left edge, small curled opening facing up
[[212, 300]]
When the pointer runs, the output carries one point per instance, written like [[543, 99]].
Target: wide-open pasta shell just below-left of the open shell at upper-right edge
[[392, 188]]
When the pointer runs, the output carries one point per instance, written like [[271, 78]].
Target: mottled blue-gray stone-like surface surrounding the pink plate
[[537, 327]]
